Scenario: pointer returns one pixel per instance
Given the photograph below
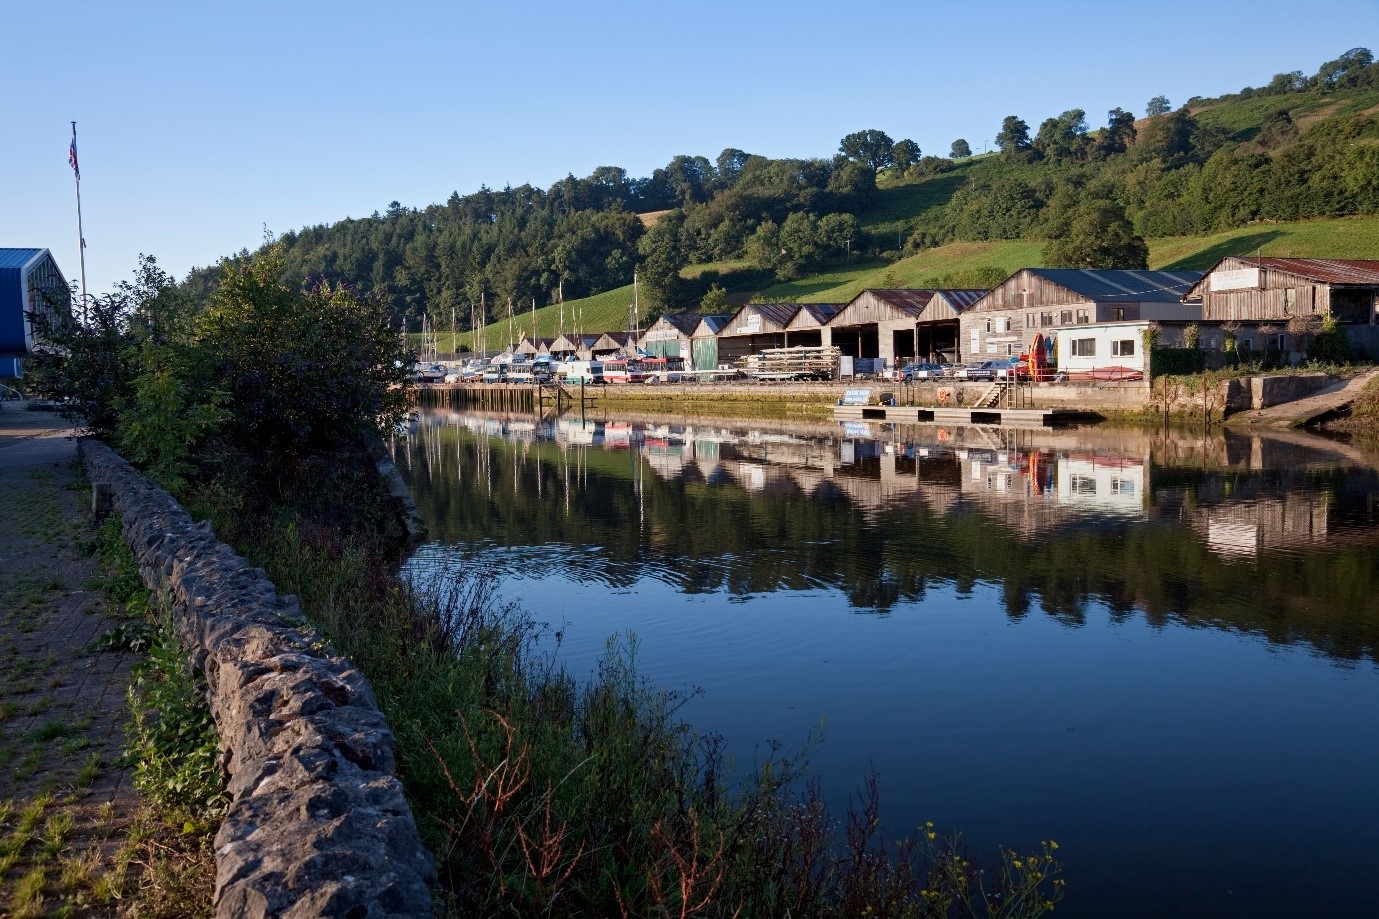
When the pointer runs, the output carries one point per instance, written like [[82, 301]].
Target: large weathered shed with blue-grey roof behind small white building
[[1034, 300]]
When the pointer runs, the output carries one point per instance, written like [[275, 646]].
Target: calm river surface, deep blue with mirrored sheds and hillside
[[1159, 651]]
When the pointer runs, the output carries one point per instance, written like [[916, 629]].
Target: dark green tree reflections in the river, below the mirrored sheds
[[722, 537]]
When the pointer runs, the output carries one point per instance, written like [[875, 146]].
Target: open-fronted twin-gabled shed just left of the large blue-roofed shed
[[901, 325]]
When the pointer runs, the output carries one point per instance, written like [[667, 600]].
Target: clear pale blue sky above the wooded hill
[[202, 123]]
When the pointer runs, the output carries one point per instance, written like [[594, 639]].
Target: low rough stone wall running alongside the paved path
[[318, 824]]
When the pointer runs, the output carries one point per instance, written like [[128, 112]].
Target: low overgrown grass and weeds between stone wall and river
[[544, 796]]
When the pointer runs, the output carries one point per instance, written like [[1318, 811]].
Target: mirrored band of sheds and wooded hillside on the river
[[1271, 536]]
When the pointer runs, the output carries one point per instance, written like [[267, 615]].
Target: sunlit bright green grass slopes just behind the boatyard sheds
[[1344, 238]]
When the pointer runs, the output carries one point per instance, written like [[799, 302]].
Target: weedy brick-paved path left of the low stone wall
[[63, 707]]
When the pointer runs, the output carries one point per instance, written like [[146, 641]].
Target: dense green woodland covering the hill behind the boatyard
[[1302, 147]]
